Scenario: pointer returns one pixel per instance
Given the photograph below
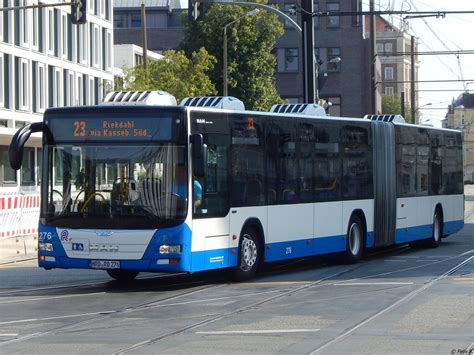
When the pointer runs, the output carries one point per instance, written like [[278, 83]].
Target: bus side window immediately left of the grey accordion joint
[[356, 162]]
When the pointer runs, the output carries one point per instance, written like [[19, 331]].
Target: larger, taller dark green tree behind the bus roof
[[251, 63]]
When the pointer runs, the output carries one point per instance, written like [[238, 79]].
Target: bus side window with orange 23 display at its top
[[248, 162]]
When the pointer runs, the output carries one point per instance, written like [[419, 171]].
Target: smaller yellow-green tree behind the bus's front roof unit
[[174, 73]]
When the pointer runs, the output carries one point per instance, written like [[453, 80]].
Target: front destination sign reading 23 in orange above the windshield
[[93, 129]]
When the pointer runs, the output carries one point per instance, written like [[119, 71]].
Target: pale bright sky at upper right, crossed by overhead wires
[[452, 33]]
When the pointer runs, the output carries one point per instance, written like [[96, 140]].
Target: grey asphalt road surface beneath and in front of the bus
[[398, 301]]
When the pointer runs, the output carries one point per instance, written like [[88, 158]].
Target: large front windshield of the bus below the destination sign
[[114, 186]]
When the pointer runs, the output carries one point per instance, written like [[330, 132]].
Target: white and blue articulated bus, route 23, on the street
[[255, 187]]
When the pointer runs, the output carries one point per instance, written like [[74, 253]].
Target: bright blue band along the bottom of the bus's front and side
[[222, 258]]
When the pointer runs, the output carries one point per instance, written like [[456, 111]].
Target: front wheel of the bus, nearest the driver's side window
[[250, 255]]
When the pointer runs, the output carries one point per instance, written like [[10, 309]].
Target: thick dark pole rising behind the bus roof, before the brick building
[[309, 87]]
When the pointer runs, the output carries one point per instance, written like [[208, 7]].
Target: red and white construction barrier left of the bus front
[[19, 214]]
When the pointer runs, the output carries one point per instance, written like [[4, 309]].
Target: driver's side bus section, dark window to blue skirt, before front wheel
[[211, 242]]
